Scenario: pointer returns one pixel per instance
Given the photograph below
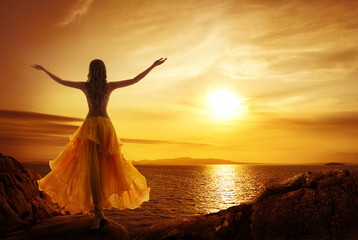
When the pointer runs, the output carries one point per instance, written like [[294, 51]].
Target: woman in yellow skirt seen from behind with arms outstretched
[[91, 170]]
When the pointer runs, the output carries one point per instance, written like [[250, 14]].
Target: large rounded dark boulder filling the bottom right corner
[[314, 205]]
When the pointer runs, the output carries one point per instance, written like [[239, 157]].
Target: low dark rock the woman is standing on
[[71, 227]]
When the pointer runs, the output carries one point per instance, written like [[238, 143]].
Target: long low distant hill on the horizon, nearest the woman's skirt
[[186, 161]]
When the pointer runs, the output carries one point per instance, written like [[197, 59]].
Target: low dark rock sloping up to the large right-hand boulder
[[232, 223]]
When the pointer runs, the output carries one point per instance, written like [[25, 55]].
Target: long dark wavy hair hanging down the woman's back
[[97, 82]]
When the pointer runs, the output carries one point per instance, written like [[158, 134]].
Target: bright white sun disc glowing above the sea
[[225, 104]]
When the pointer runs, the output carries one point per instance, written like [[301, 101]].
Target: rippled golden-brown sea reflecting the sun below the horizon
[[189, 190]]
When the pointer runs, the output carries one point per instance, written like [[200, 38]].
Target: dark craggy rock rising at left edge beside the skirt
[[21, 203]]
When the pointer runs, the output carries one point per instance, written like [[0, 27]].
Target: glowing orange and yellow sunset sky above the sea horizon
[[292, 65]]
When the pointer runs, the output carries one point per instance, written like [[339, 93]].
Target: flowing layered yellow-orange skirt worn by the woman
[[91, 171]]
